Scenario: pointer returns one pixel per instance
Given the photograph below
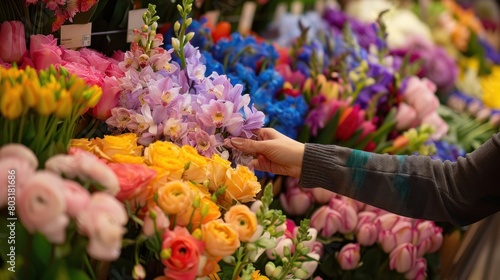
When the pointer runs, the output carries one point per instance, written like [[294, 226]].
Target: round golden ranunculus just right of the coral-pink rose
[[175, 197]]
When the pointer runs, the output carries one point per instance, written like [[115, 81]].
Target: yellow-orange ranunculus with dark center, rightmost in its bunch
[[243, 220]]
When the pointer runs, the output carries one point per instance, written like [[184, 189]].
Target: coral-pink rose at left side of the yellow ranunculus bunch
[[134, 180]]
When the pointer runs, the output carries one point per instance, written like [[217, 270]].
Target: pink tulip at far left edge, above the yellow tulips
[[13, 47]]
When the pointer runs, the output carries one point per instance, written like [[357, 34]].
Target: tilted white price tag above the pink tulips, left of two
[[76, 35]]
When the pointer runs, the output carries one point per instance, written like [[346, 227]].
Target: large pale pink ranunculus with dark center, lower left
[[41, 206]]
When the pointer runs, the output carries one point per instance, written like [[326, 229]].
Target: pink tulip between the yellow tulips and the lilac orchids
[[109, 100]]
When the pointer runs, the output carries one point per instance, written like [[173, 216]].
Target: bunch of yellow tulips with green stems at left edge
[[41, 109]]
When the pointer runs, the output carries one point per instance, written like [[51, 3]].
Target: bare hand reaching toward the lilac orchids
[[274, 152]]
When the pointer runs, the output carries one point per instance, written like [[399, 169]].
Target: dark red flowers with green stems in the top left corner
[[37, 14]]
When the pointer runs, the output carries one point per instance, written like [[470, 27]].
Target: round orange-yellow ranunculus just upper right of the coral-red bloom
[[221, 239]]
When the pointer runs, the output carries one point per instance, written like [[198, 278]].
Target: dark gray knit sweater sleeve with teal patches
[[416, 186]]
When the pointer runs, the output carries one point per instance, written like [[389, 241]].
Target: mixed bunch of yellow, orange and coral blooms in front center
[[187, 217]]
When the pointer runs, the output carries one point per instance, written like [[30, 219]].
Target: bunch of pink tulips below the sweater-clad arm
[[360, 240]]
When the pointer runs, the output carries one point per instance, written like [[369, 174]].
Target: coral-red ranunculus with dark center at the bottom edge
[[186, 253]]
